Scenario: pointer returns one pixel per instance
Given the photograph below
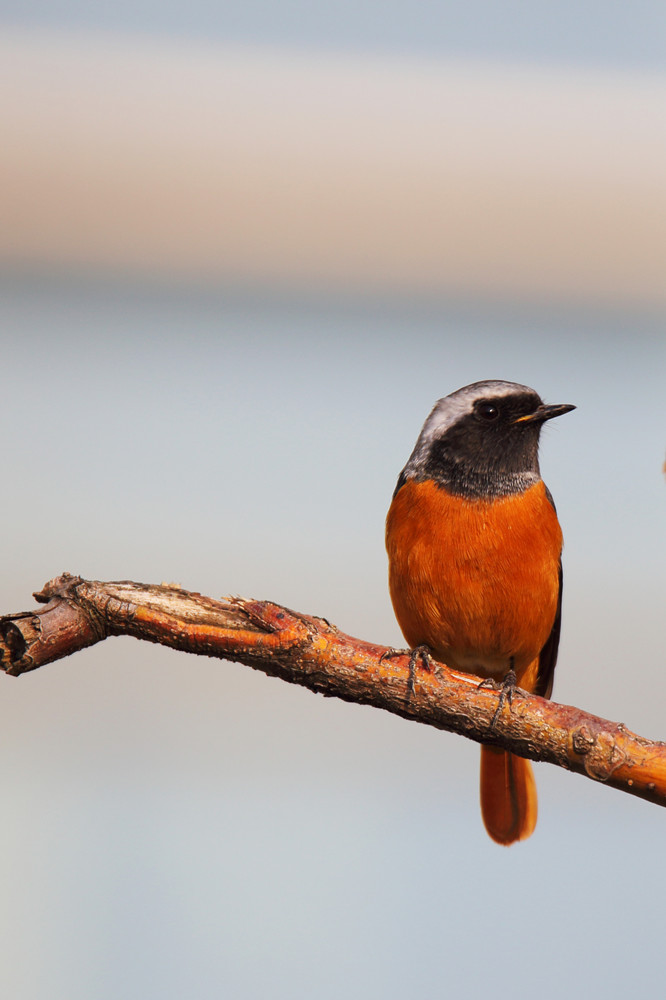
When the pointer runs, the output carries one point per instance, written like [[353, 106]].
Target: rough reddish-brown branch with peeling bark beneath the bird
[[311, 652]]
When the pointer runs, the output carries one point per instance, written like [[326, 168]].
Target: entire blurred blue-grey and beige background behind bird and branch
[[244, 247]]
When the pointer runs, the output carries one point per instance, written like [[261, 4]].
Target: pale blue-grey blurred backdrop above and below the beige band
[[176, 826]]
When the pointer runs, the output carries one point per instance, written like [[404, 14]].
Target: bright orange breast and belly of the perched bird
[[475, 580]]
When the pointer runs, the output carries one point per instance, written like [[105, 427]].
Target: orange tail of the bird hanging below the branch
[[508, 796]]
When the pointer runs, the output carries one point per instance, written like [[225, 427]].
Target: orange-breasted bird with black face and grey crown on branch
[[475, 564]]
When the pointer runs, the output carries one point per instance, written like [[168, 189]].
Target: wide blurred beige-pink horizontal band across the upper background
[[332, 172]]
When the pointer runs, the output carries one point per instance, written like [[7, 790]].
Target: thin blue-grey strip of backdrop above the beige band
[[607, 34]]
